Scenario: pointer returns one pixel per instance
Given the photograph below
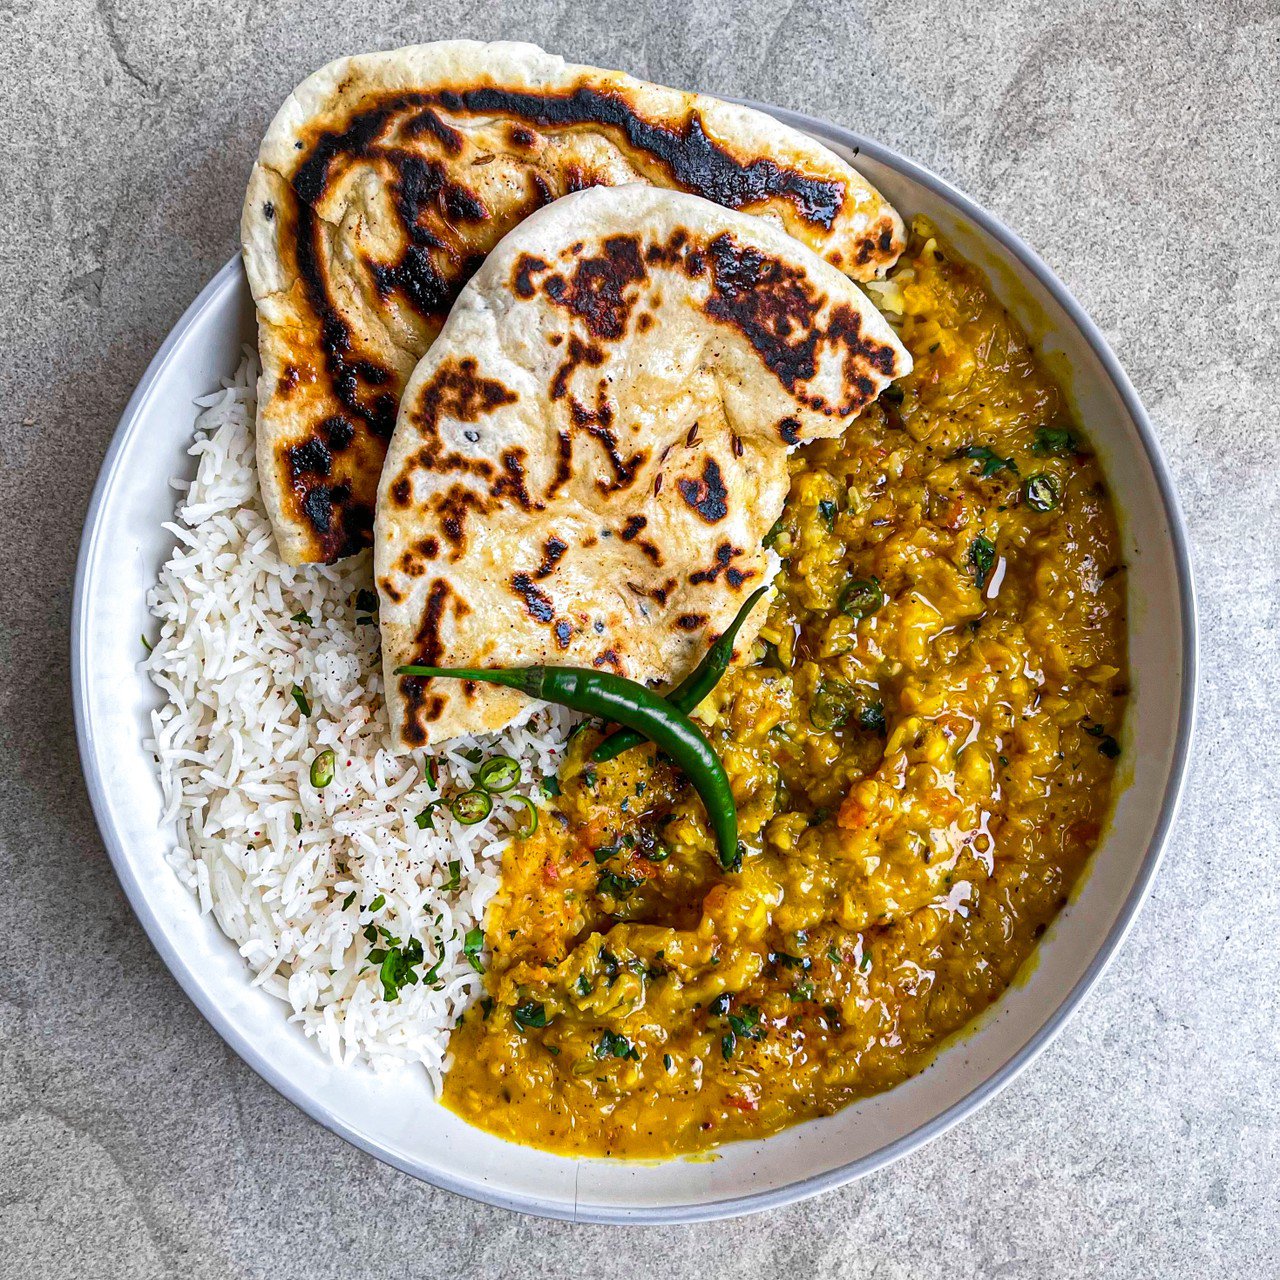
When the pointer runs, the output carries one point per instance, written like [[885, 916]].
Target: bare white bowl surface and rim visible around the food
[[125, 546]]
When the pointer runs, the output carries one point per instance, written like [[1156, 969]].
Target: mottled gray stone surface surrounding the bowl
[[1139, 148]]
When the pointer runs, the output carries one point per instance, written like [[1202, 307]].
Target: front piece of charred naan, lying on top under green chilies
[[588, 459]]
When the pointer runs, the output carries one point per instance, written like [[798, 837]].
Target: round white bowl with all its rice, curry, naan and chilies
[[705, 423]]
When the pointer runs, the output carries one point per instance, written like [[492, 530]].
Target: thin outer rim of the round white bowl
[[991, 226]]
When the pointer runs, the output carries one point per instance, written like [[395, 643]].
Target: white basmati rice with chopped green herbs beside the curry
[[235, 753]]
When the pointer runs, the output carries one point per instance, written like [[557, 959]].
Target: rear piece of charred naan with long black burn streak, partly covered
[[386, 180]]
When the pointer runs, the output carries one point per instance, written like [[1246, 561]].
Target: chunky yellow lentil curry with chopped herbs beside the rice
[[922, 747]]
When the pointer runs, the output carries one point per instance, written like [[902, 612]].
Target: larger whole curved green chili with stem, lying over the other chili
[[630, 705]]
